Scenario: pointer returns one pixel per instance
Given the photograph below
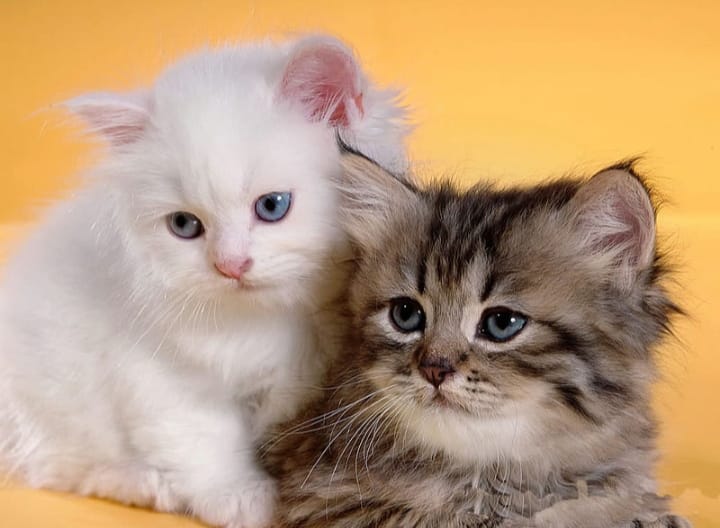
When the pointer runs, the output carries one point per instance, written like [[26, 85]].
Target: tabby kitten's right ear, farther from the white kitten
[[616, 221]]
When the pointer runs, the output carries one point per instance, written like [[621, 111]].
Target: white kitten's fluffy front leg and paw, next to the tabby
[[205, 452]]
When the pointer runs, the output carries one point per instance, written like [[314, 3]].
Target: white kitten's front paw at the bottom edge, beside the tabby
[[251, 505]]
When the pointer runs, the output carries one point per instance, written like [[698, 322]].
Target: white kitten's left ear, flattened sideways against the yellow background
[[120, 119]]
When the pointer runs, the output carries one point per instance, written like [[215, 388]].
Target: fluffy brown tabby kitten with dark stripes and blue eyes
[[499, 365]]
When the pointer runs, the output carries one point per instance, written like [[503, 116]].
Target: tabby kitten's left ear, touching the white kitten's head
[[369, 194]]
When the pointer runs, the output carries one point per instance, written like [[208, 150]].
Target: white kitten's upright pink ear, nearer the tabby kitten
[[323, 76]]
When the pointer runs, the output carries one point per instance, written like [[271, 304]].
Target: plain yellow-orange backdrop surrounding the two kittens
[[514, 91]]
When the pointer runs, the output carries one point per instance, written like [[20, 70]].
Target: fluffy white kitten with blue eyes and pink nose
[[162, 317]]
